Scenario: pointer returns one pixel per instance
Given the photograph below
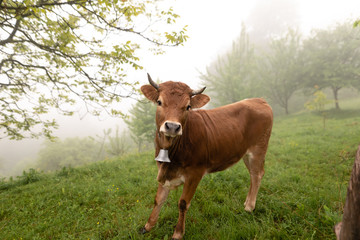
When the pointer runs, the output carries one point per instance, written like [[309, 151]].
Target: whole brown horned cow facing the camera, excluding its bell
[[204, 141]]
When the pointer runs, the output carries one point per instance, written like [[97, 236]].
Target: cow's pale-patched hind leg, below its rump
[[254, 161]]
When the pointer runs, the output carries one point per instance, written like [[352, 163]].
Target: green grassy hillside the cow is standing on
[[301, 197]]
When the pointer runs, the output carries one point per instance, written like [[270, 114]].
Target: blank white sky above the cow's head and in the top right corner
[[213, 25]]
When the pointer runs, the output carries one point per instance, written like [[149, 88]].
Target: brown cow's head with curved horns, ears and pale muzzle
[[174, 101]]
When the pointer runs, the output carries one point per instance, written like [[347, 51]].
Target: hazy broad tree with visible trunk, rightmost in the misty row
[[333, 57]]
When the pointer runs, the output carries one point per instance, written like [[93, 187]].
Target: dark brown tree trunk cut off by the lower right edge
[[349, 228]]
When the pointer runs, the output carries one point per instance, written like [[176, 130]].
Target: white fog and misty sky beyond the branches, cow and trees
[[212, 26]]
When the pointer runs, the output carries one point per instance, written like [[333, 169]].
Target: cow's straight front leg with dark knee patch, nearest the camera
[[189, 189]]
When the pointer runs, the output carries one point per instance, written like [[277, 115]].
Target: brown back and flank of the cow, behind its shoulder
[[232, 129]]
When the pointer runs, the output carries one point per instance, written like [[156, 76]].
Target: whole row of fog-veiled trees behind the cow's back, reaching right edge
[[288, 63]]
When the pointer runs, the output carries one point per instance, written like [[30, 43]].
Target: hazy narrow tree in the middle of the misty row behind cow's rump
[[281, 70]]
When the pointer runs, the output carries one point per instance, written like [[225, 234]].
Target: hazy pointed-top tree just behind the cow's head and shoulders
[[231, 77]]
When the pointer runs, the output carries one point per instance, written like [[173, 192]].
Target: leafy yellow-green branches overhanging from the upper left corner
[[58, 53]]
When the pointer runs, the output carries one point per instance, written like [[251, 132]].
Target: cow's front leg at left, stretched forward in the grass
[[160, 198]]
